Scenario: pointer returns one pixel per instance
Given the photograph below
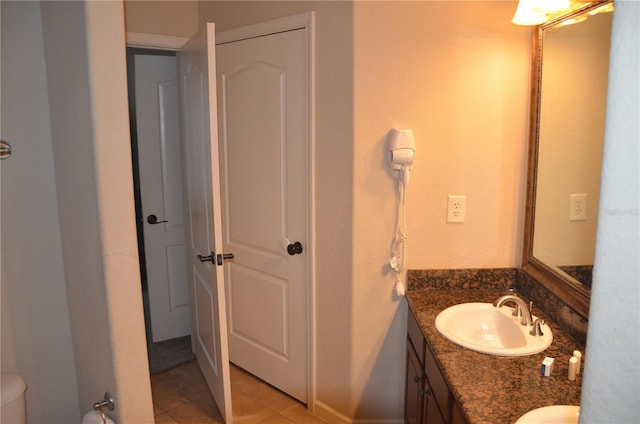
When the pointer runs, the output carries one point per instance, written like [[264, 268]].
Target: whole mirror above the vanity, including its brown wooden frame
[[568, 104]]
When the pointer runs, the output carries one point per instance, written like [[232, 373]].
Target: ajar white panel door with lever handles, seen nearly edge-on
[[196, 69]]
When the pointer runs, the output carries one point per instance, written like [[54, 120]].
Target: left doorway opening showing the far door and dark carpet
[[160, 244]]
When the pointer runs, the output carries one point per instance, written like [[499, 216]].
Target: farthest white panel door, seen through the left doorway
[[159, 158]]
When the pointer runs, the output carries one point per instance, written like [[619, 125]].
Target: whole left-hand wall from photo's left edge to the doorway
[[72, 322]]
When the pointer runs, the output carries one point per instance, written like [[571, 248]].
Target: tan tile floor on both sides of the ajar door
[[181, 395]]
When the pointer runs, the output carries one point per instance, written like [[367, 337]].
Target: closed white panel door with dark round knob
[[263, 101]]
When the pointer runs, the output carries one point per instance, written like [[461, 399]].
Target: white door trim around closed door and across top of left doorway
[[301, 21]]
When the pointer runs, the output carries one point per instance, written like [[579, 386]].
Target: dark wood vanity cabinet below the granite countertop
[[428, 399]]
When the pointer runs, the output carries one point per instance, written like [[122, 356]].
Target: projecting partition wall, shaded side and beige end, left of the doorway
[[86, 72]]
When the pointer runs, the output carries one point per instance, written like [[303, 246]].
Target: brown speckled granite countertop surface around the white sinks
[[494, 389]]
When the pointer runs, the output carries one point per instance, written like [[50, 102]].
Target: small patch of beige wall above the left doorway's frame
[[173, 18]]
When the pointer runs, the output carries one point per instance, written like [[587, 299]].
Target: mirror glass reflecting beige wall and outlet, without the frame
[[573, 91]]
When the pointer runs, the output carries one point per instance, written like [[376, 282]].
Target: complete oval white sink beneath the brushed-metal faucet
[[484, 328]]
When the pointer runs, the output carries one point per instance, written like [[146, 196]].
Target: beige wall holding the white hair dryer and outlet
[[457, 74]]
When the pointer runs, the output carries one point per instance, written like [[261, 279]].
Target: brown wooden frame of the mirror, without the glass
[[561, 285]]
